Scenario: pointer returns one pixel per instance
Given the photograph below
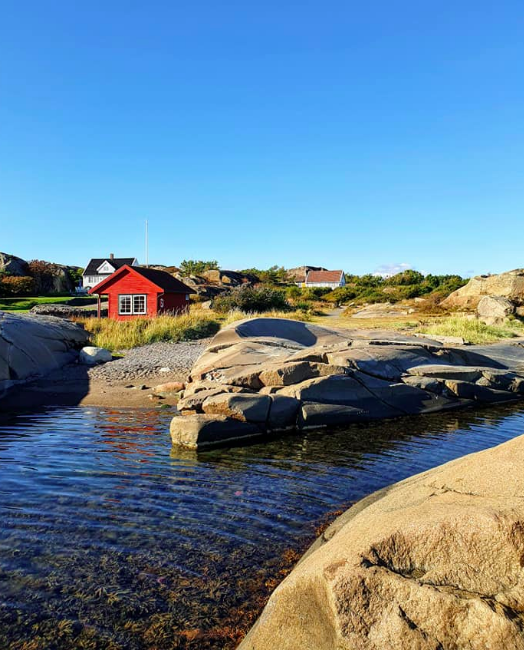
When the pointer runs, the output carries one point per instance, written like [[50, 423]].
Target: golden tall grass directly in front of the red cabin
[[123, 335]]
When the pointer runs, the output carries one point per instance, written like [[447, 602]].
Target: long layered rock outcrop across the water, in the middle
[[331, 377]]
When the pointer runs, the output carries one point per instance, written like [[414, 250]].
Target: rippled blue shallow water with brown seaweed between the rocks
[[110, 539]]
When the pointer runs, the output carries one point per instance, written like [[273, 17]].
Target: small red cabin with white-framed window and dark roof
[[133, 291]]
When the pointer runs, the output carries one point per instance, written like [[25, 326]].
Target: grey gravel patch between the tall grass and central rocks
[[165, 360]]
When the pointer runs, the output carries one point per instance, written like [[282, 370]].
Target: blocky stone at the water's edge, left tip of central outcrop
[[202, 431]]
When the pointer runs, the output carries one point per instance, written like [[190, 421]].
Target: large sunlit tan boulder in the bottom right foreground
[[433, 562]]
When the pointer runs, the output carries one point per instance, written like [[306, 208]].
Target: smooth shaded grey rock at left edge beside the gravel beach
[[33, 346]]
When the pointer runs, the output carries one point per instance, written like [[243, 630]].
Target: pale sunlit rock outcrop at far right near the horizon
[[508, 285]]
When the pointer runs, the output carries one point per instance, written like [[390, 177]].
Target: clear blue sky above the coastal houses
[[347, 134]]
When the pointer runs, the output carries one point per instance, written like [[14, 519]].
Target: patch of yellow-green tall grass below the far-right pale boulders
[[473, 330]]
